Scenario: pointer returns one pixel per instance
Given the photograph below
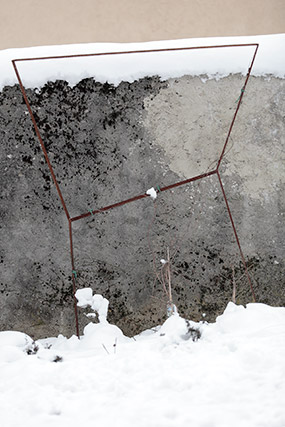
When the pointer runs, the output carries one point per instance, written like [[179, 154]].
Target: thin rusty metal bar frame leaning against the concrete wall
[[215, 171]]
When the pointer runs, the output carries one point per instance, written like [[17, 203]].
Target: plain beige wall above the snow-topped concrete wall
[[41, 22]]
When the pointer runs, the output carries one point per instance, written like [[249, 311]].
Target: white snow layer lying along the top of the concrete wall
[[214, 63]]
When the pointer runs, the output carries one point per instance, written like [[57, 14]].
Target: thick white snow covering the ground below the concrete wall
[[234, 375]]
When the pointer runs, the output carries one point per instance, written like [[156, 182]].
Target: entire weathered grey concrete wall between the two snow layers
[[107, 144]]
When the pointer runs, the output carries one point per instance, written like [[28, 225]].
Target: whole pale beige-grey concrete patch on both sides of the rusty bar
[[190, 120]]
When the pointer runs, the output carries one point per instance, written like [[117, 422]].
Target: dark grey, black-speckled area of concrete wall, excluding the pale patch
[[102, 154]]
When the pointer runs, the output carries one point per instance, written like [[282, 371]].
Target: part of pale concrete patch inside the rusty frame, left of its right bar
[[190, 119]]
